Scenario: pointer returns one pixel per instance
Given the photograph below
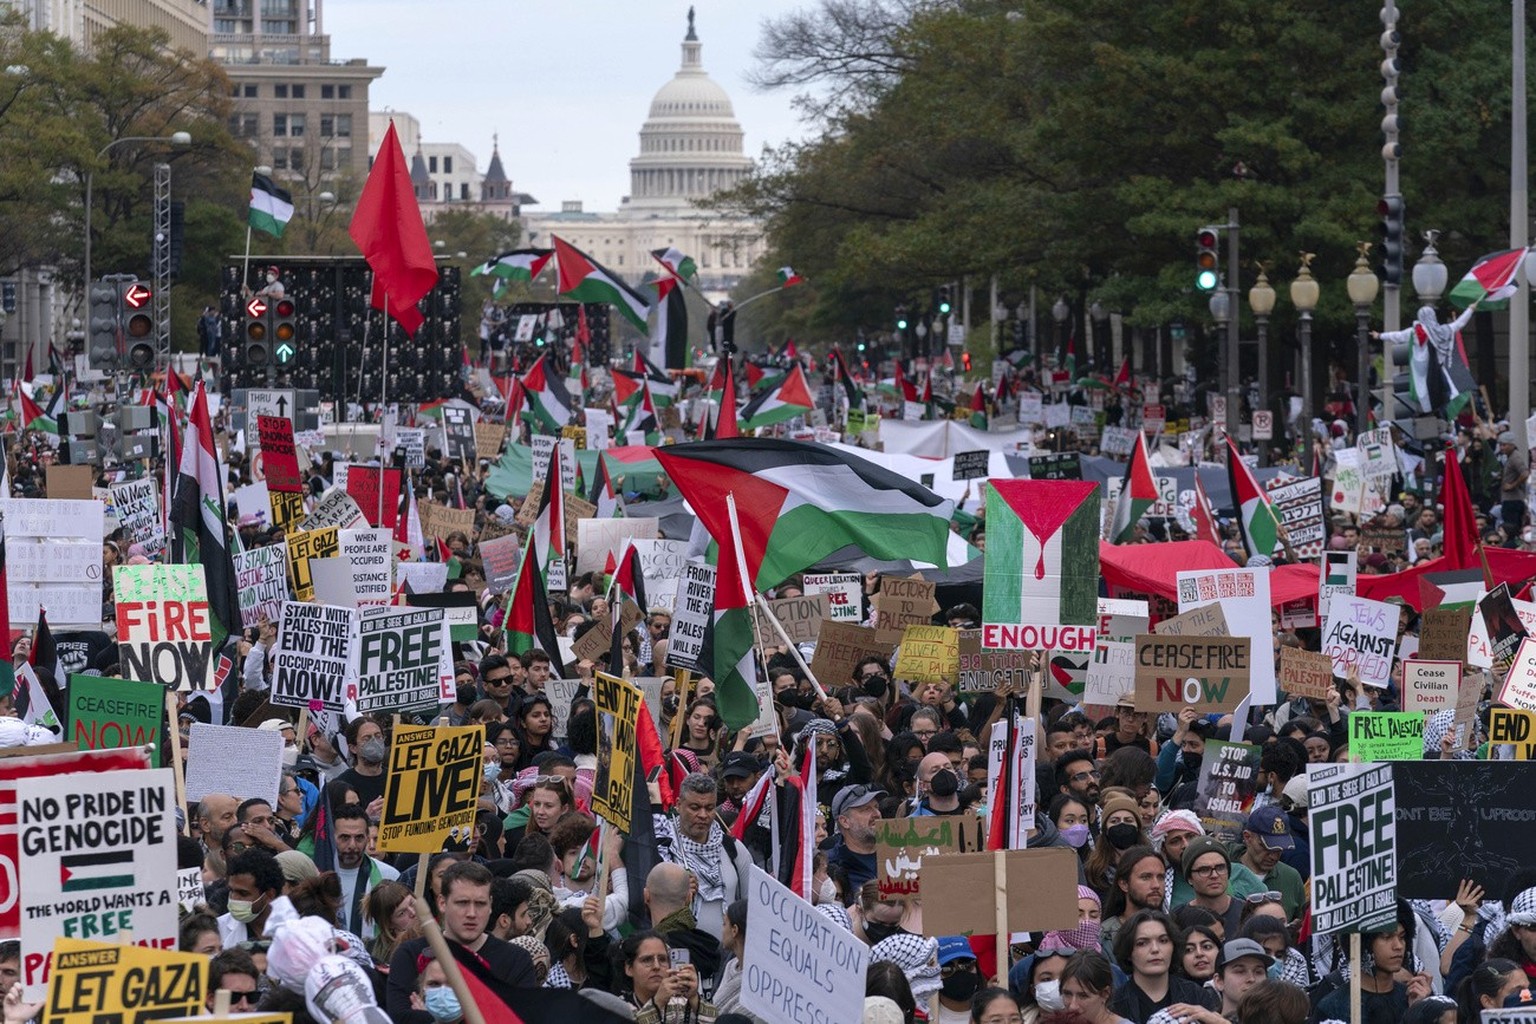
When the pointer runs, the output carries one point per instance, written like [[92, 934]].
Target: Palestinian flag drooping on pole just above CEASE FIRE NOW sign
[[199, 530]]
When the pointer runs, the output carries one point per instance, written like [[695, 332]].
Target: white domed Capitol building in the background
[[690, 150]]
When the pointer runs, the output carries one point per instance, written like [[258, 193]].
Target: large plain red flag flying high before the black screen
[[388, 228]]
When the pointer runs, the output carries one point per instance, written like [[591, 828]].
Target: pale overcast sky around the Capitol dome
[[568, 84]]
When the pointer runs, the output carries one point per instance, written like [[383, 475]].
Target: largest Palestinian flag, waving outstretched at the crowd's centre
[[801, 503]]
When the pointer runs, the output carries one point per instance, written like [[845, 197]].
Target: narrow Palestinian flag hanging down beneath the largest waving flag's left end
[[735, 669]]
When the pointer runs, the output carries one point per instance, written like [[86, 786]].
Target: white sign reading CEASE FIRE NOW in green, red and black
[[164, 626]]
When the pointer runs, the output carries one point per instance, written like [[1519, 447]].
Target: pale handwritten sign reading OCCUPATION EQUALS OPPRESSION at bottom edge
[[798, 965]]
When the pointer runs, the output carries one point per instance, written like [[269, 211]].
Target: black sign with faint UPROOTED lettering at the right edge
[[1462, 821]]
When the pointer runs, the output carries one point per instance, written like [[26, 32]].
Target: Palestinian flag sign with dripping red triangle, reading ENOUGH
[[1042, 567]]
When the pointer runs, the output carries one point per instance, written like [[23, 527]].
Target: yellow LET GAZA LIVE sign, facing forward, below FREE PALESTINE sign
[[432, 790]]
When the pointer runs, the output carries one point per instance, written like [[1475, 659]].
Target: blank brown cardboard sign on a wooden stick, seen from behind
[[1041, 888]]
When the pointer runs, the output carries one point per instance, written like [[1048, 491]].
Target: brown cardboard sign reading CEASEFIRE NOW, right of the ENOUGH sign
[[1205, 673]]
